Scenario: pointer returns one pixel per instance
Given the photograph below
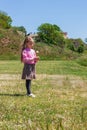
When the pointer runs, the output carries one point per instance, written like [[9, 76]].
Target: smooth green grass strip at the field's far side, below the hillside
[[46, 67]]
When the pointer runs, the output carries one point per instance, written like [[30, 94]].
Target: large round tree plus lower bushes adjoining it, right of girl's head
[[52, 34]]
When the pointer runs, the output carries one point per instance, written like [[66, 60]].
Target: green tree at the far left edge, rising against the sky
[[5, 20]]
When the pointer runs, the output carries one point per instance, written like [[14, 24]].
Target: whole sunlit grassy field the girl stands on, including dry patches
[[60, 102]]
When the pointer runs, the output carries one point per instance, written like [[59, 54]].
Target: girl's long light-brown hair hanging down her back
[[28, 39]]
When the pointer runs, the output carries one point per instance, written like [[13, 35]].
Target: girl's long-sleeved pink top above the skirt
[[28, 56]]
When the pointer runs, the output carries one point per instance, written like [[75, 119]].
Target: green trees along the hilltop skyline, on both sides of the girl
[[47, 33]]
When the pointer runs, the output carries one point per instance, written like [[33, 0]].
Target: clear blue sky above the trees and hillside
[[69, 15]]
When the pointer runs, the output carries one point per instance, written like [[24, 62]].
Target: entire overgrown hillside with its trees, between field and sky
[[50, 41]]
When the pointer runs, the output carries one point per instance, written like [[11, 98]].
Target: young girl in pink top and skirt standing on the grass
[[29, 58]]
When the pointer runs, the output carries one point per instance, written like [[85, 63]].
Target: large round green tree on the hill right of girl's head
[[50, 34]]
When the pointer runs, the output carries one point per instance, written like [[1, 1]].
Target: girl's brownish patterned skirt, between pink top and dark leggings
[[28, 71]]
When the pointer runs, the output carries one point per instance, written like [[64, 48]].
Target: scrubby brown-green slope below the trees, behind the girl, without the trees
[[10, 46]]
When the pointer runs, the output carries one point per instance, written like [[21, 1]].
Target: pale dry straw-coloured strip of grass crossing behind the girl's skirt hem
[[62, 80]]
